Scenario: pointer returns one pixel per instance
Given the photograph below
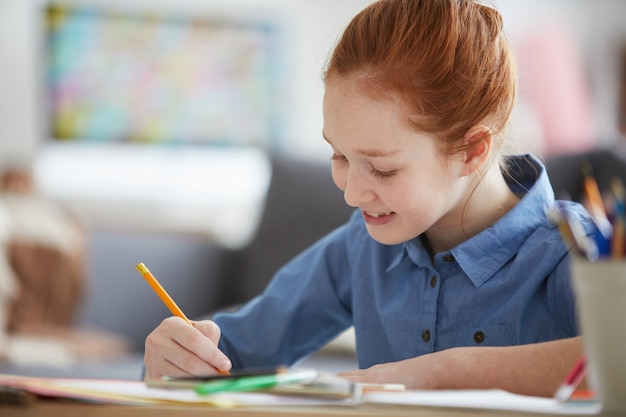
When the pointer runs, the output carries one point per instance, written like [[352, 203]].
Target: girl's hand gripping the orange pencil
[[176, 349]]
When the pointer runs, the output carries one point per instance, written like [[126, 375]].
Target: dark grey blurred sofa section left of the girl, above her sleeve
[[303, 204]]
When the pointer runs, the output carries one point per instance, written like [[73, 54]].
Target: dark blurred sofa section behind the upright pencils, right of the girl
[[566, 173]]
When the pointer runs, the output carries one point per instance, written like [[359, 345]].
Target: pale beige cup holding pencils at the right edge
[[600, 289]]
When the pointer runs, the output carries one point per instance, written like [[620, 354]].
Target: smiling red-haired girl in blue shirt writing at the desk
[[449, 271]]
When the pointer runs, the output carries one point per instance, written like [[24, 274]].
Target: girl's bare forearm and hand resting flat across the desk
[[535, 369]]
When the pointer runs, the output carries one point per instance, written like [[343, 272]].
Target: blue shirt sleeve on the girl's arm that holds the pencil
[[306, 304]]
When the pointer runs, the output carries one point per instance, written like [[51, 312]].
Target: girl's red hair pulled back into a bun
[[447, 60]]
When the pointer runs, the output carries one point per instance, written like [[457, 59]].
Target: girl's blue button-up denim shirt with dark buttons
[[508, 285]]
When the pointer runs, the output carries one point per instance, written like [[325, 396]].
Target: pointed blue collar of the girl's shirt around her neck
[[496, 245]]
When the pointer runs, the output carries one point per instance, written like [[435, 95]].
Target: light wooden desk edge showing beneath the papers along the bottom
[[53, 408]]
